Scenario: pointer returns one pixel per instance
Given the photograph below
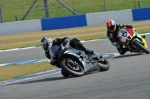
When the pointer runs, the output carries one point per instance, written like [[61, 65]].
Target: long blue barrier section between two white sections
[[63, 22]]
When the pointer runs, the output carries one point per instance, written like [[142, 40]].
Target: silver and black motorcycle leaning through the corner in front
[[75, 62]]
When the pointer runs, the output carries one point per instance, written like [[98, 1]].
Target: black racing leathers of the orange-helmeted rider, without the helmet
[[113, 37]]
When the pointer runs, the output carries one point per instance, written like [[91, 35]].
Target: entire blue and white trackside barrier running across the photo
[[90, 19]]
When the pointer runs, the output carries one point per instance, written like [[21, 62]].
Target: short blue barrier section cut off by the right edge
[[141, 14]]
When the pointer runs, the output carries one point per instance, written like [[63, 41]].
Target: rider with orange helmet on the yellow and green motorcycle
[[112, 34]]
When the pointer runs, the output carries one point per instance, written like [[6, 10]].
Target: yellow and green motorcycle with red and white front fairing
[[133, 41]]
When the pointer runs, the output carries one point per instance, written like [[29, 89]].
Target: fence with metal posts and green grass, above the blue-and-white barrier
[[16, 10]]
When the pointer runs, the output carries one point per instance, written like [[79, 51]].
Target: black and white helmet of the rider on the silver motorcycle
[[46, 42]]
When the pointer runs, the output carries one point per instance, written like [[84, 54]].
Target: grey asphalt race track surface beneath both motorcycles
[[127, 78]]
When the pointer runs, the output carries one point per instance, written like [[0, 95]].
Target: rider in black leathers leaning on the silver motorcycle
[[46, 43]]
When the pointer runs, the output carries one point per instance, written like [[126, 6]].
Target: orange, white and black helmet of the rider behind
[[111, 25]]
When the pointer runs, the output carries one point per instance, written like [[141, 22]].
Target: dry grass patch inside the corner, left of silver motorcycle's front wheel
[[16, 71]]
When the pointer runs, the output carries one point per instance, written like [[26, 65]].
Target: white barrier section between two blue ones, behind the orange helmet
[[102, 17]]
